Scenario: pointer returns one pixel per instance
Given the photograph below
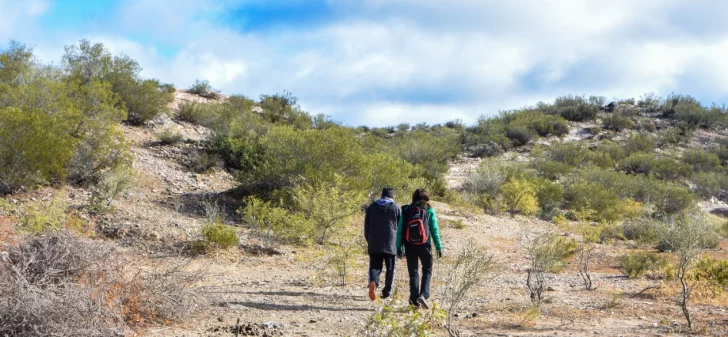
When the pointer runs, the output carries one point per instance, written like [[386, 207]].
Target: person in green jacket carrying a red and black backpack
[[414, 240]]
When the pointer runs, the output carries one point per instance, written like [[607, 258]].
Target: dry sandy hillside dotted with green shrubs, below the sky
[[201, 214]]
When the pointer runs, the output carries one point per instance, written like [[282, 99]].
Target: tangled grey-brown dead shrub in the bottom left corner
[[58, 284]]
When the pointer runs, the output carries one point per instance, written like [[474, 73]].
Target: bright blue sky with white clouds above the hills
[[384, 62]]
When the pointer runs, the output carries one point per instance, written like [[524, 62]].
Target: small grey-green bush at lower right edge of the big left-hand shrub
[[112, 183]]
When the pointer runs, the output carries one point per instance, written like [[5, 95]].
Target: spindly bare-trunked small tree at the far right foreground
[[687, 235]]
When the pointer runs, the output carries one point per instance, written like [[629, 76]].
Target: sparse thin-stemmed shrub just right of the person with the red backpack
[[469, 269]]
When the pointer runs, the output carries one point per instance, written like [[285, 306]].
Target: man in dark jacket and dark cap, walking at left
[[380, 231]]
